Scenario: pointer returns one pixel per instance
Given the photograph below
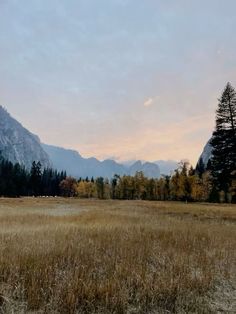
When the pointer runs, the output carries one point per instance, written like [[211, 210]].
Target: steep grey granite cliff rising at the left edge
[[19, 145]]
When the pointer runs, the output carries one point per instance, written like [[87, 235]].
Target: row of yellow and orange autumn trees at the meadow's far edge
[[186, 184]]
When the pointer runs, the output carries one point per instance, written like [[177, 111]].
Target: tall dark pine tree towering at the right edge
[[223, 161]]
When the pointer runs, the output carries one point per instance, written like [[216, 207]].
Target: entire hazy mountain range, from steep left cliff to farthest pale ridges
[[17, 144]]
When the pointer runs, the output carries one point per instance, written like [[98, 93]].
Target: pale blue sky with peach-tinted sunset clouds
[[122, 79]]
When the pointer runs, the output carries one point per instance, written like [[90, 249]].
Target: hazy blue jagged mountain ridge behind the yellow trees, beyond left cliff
[[77, 166]]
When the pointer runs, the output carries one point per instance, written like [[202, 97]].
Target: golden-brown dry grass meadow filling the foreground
[[87, 256]]
